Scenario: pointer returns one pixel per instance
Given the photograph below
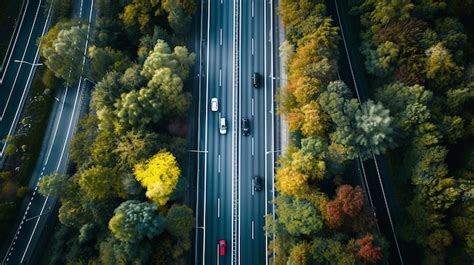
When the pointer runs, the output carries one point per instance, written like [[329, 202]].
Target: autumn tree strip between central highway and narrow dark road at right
[[322, 215]]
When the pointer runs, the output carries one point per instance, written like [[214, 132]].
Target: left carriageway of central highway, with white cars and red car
[[216, 149]]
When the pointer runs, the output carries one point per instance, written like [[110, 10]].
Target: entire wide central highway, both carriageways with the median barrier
[[236, 42]]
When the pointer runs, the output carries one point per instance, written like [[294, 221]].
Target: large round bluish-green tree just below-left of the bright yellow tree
[[134, 221]]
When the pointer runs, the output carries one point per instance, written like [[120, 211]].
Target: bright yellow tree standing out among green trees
[[159, 175]]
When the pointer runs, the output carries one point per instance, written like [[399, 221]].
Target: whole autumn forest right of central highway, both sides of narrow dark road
[[418, 57]]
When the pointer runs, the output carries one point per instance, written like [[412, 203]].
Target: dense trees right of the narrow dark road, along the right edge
[[419, 57]]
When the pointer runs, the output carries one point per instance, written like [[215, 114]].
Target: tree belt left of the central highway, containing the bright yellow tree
[[124, 203]]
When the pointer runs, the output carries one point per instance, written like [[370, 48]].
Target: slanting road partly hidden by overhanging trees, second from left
[[53, 158]]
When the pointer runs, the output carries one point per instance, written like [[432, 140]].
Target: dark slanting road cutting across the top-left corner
[[19, 65]]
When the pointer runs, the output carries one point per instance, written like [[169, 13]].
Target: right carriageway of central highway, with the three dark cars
[[253, 106]]
